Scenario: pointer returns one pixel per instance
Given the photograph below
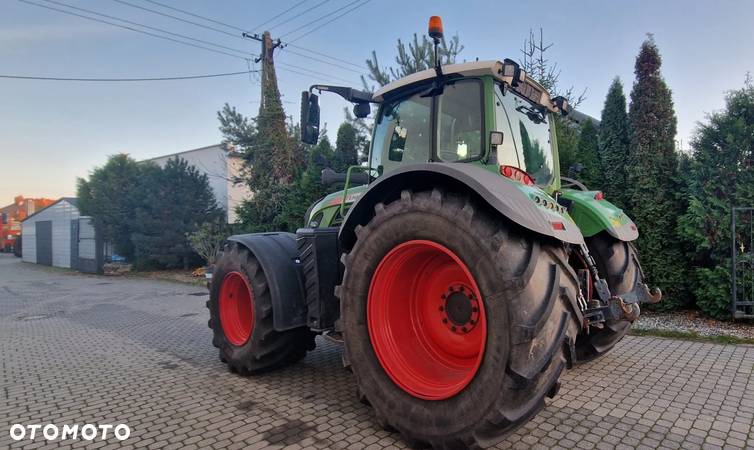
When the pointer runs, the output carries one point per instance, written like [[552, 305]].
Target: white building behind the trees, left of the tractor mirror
[[223, 168]]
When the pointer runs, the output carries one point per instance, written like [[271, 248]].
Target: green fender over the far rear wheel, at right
[[594, 216]]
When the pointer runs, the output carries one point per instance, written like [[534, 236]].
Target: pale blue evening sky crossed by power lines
[[53, 132]]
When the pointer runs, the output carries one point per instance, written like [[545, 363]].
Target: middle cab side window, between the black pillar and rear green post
[[459, 121]]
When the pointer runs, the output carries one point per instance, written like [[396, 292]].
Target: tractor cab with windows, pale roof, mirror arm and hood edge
[[486, 113]]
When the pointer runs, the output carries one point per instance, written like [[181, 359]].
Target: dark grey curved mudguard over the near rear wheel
[[500, 193]]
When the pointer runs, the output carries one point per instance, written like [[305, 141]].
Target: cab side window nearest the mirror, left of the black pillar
[[402, 133]]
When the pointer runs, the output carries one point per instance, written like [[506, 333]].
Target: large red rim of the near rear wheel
[[426, 320]]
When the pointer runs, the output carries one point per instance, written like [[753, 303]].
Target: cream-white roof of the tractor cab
[[526, 86]]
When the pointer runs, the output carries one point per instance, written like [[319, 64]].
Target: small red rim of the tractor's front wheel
[[236, 308]]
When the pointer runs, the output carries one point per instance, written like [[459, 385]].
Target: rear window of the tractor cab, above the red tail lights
[[530, 130]]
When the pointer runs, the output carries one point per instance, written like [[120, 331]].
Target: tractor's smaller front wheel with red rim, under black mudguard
[[244, 333]]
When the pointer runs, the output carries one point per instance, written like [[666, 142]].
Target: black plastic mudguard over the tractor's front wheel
[[278, 255]]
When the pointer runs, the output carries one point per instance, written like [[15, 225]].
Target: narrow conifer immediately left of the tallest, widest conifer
[[613, 144]]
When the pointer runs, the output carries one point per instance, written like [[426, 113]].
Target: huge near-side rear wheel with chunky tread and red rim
[[526, 290]]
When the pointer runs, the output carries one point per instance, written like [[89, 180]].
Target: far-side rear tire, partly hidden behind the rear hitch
[[617, 262]]
